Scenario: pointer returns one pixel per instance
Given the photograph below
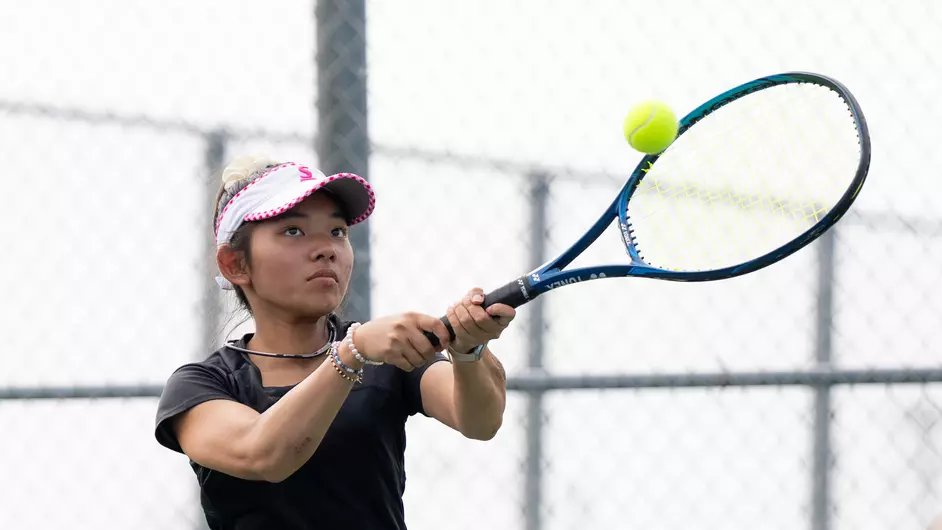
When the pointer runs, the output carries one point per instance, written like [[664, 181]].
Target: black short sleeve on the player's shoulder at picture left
[[190, 385]]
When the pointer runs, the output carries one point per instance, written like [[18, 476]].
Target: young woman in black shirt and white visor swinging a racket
[[301, 424]]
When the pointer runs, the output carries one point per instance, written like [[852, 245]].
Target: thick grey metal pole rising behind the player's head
[[343, 136]]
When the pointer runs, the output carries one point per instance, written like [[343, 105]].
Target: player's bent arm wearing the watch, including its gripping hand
[[470, 395]]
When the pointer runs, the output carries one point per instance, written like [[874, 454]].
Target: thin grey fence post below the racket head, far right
[[822, 456]]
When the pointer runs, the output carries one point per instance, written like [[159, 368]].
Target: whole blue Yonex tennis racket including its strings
[[755, 174]]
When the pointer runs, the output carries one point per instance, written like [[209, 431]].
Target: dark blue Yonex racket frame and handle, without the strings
[[551, 275]]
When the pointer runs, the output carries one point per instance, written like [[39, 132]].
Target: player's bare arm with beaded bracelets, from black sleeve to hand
[[232, 438]]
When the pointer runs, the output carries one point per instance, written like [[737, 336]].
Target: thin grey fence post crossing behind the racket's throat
[[533, 492]]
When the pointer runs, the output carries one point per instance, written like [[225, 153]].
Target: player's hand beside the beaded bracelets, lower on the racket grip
[[399, 339]]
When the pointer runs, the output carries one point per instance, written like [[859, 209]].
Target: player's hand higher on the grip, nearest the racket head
[[475, 325]]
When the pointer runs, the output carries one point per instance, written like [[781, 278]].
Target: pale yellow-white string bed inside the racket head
[[746, 179]]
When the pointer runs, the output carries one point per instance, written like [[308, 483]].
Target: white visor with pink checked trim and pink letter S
[[284, 187]]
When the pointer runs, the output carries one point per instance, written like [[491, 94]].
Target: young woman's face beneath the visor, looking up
[[301, 261]]
